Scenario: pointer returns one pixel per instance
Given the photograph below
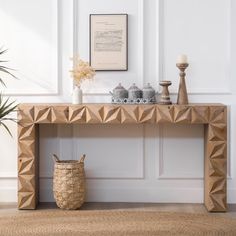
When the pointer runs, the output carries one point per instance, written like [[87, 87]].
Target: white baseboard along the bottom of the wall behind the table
[[161, 195]]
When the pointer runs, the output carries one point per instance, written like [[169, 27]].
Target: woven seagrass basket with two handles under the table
[[69, 183]]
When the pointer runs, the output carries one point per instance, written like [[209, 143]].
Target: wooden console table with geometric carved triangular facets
[[213, 116]]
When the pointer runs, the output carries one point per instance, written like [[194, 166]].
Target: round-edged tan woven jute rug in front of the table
[[111, 222]]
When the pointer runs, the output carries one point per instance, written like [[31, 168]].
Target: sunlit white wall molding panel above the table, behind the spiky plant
[[32, 80]]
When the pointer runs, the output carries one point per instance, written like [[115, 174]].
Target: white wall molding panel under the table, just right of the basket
[[106, 170]]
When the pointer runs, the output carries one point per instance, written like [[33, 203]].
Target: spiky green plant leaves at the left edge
[[6, 106]]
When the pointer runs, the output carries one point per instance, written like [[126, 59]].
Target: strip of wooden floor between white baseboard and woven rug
[[11, 208]]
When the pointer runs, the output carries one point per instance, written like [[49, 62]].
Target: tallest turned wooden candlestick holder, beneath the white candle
[[182, 93]]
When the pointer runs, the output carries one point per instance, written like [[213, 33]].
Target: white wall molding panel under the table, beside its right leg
[[165, 160]]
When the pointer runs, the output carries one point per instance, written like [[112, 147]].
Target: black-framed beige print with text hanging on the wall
[[109, 42]]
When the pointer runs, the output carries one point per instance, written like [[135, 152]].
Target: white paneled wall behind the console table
[[124, 163]]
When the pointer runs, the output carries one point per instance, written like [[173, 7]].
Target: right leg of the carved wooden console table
[[215, 169]]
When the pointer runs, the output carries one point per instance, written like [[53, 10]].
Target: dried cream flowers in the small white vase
[[82, 71]]
